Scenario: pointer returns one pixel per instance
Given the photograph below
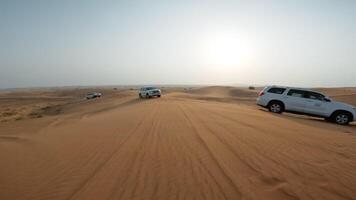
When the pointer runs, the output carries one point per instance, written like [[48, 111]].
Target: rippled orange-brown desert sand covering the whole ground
[[196, 143]]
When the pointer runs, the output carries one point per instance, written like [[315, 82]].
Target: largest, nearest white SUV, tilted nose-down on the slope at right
[[301, 101]]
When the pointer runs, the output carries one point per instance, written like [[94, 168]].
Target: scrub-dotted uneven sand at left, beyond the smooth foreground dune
[[21, 105]]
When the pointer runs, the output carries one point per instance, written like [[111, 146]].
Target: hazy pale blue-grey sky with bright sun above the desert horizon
[[86, 42]]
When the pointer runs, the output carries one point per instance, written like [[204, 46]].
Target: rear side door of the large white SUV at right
[[295, 100]]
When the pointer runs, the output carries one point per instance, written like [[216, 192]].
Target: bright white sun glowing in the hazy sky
[[227, 49]]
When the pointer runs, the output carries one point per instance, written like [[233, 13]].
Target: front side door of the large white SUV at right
[[316, 104]]
